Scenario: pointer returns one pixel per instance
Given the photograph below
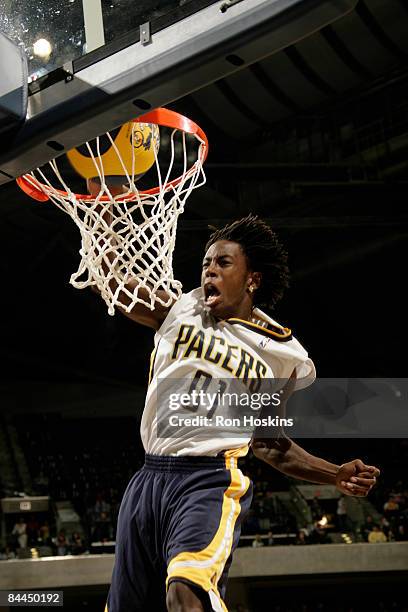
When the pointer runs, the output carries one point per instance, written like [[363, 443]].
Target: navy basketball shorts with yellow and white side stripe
[[180, 520]]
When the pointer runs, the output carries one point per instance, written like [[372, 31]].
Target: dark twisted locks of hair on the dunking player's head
[[264, 252]]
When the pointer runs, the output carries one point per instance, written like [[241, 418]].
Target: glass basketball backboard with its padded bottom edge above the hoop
[[95, 64]]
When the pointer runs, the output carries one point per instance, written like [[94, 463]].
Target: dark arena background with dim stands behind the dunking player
[[312, 136]]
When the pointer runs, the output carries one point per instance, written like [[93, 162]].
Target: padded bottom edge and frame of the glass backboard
[[182, 58]]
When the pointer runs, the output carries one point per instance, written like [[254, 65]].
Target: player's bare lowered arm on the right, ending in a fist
[[351, 478]]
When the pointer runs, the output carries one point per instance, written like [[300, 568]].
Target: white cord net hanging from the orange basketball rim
[[131, 236]]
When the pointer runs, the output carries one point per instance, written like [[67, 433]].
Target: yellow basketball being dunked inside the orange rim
[[136, 144]]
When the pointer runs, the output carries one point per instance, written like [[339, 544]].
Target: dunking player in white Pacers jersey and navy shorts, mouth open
[[181, 514]]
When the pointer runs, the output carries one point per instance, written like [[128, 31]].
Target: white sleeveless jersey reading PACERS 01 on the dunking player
[[191, 340]]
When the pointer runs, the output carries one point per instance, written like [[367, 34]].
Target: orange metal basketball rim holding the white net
[[161, 116]]
